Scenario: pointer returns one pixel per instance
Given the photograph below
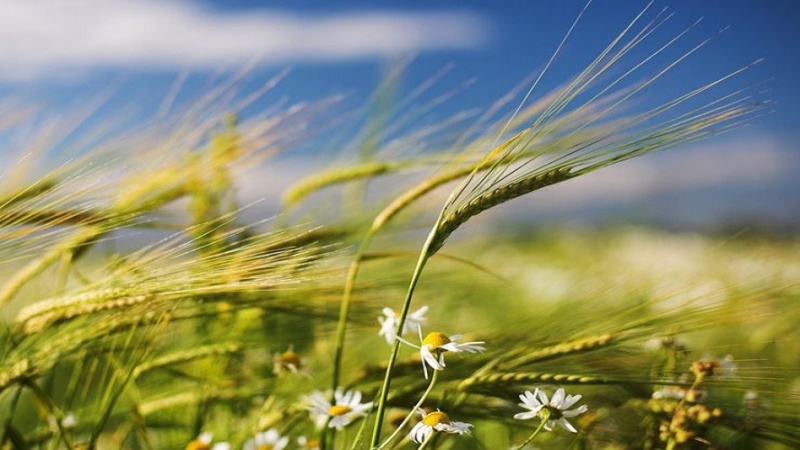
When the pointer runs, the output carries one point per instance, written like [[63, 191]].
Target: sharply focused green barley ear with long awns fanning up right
[[574, 135]]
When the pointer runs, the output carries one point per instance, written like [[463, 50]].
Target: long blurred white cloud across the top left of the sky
[[43, 37]]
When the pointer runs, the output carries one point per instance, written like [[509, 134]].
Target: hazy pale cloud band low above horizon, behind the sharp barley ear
[[711, 168]]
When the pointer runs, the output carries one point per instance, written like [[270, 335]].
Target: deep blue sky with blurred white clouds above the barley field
[[56, 53]]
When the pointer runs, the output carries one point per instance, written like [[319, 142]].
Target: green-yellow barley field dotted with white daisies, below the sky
[[146, 305]]
